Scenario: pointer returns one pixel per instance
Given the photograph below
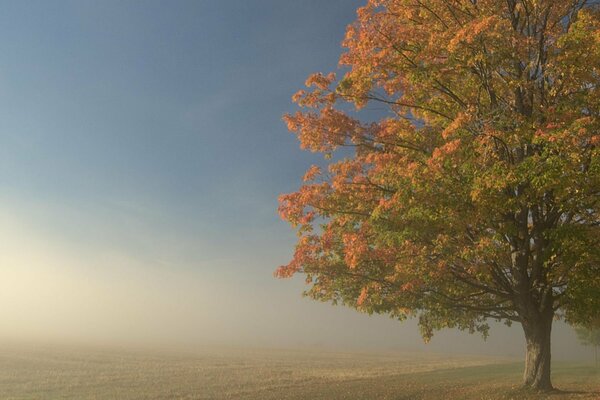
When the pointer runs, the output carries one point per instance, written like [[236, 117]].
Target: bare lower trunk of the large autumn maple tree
[[537, 359]]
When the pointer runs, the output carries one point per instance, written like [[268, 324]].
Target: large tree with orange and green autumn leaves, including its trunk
[[475, 195]]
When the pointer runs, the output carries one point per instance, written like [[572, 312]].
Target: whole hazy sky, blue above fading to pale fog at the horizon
[[141, 155]]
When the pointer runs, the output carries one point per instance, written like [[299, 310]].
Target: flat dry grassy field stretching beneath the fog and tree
[[84, 373]]
